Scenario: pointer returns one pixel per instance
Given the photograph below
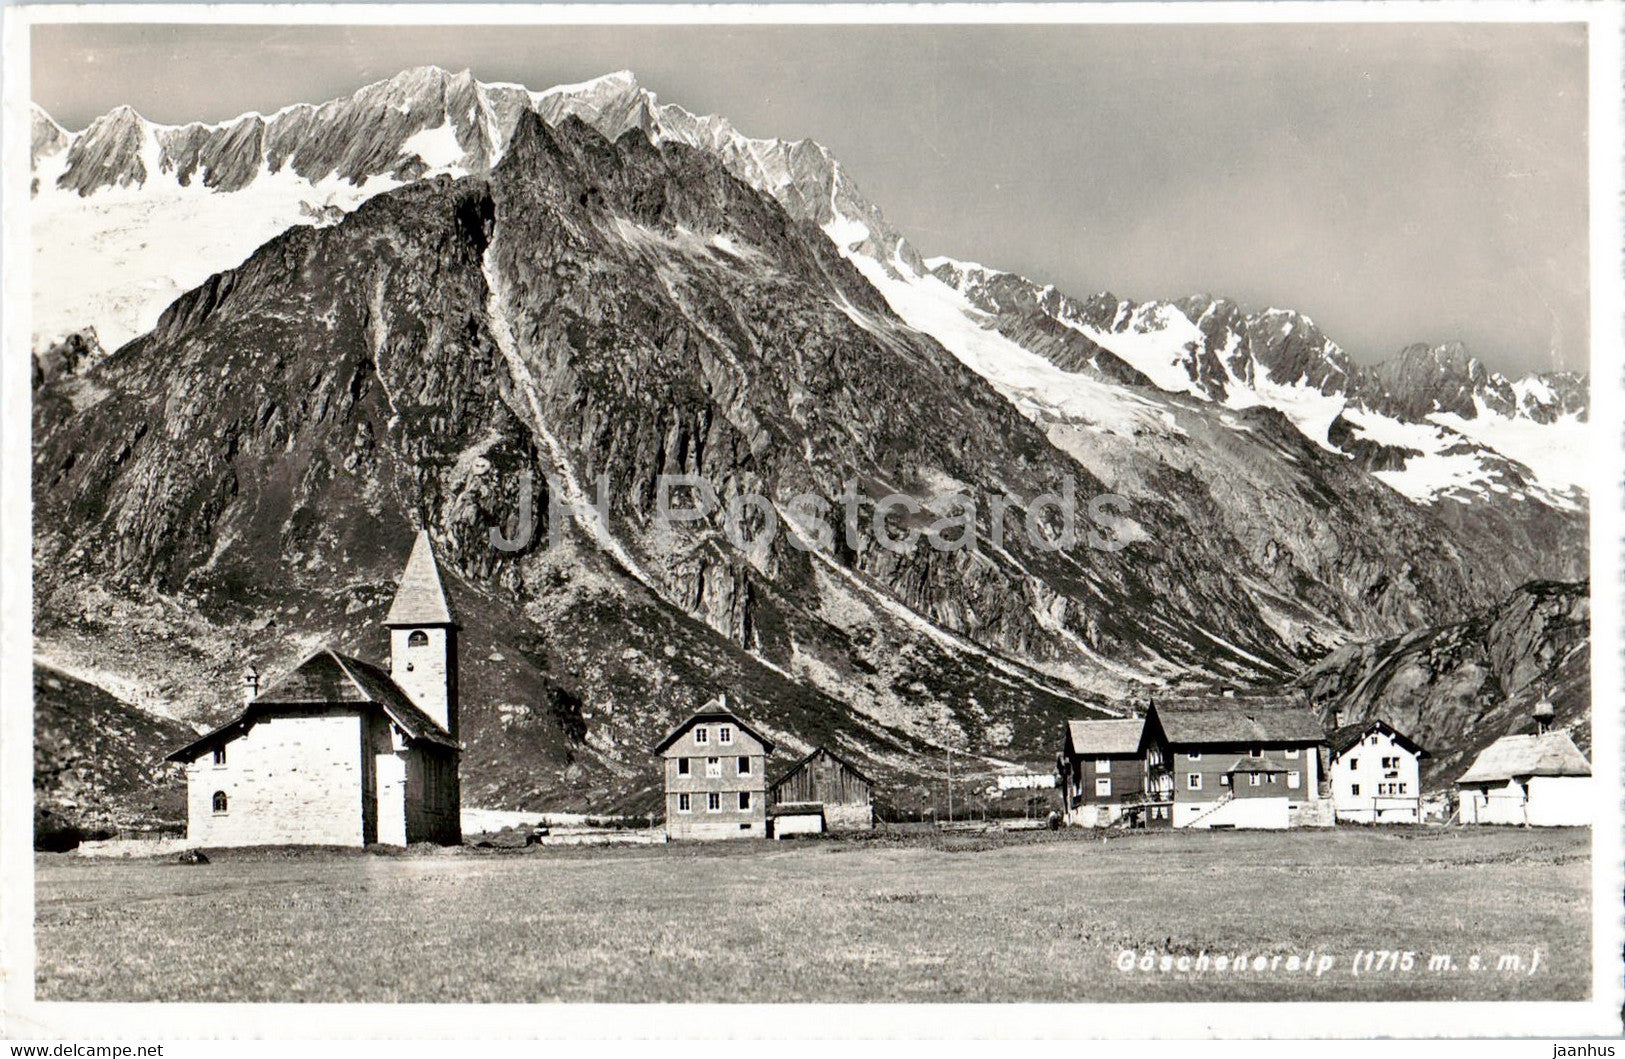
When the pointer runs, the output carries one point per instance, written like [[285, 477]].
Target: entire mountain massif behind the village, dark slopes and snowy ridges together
[[470, 282]]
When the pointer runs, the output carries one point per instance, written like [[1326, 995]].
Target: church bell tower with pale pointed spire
[[423, 638]]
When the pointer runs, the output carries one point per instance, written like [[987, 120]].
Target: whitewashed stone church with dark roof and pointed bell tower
[[340, 753]]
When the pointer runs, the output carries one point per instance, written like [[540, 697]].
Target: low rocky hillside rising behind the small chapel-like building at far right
[[1462, 686]]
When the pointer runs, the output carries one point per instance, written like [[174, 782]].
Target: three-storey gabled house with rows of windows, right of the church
[[716, 772]]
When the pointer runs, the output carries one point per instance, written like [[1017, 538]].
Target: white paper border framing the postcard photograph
[[24, 1018]]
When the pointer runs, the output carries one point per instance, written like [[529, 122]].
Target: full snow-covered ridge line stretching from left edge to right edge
[[175, 204]]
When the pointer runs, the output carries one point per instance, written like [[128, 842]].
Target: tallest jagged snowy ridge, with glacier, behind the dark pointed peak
[[311, 163]]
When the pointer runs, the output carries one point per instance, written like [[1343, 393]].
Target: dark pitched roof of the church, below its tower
[[327, 678]]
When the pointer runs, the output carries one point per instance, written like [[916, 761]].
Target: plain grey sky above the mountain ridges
[[1395, 183]]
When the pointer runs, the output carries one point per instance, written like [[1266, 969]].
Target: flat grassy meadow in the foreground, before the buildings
[[1036, 917]]
